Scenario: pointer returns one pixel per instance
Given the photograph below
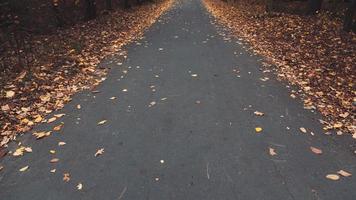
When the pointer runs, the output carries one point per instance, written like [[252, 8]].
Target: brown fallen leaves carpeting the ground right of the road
[[311, 52]]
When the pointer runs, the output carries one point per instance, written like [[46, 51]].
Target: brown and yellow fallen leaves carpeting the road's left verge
[[66, 62]]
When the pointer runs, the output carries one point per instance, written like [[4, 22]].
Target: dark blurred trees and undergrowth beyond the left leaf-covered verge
[[22, 20]]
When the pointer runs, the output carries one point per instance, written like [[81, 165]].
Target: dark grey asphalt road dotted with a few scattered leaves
[[204, 130]]
